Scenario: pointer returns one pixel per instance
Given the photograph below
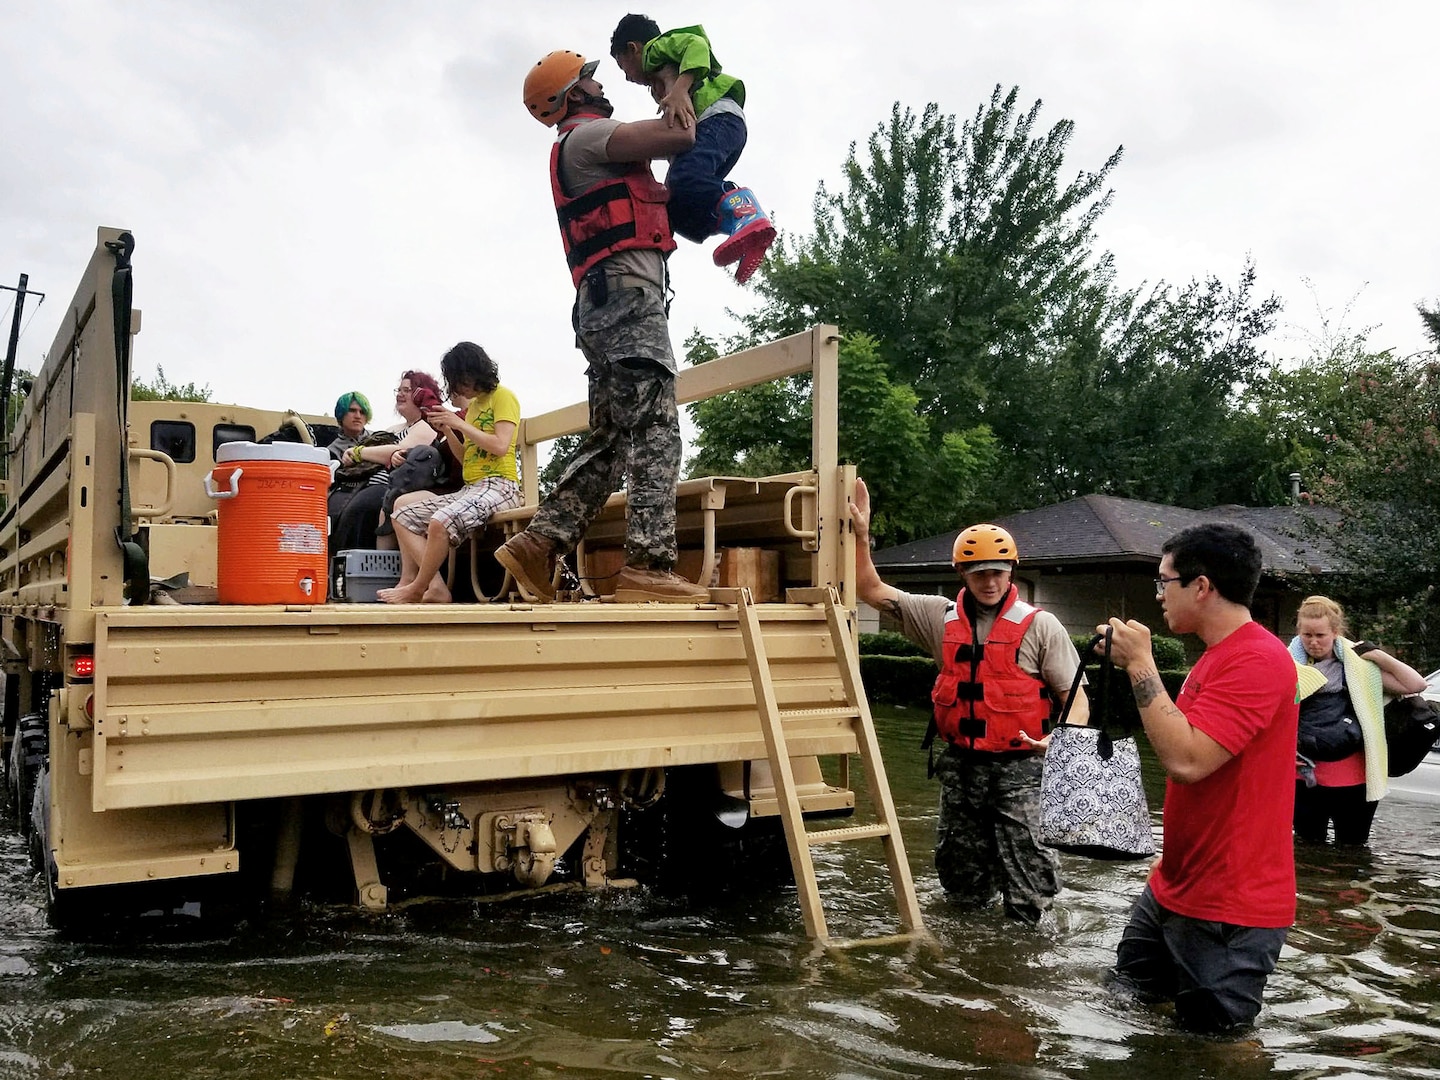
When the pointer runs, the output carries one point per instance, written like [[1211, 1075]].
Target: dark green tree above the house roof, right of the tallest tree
[[1144, 397]]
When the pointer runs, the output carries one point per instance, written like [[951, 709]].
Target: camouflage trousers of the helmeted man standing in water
[[989, 837]]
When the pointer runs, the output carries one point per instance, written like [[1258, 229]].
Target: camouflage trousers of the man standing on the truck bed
[[634, 430]]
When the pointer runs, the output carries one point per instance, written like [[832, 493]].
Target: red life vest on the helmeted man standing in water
[[983, 699]]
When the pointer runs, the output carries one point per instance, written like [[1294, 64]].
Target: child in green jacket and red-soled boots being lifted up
[[688, 81]]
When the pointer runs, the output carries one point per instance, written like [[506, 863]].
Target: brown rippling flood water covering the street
[[631, 986]]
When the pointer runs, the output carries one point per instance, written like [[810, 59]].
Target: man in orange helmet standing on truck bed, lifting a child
[[601, 181]]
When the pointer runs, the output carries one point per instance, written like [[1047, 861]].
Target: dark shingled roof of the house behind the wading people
[[1107, 529]]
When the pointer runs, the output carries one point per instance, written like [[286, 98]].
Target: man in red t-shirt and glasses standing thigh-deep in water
[[1207, 931]]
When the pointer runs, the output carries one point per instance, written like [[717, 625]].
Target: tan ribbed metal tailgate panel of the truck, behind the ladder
[[326, 701]]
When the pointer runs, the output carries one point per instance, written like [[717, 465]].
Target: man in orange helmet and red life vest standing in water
[[991, 647]]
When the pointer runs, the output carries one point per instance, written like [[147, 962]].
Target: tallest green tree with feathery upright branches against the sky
[[955, 251]]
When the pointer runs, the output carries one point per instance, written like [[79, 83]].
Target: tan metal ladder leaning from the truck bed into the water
[[858, 711]]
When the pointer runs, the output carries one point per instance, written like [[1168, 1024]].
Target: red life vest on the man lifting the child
[[624, 214]]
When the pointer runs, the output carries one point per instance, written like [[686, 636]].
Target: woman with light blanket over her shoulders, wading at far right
[[1341, 752]]
